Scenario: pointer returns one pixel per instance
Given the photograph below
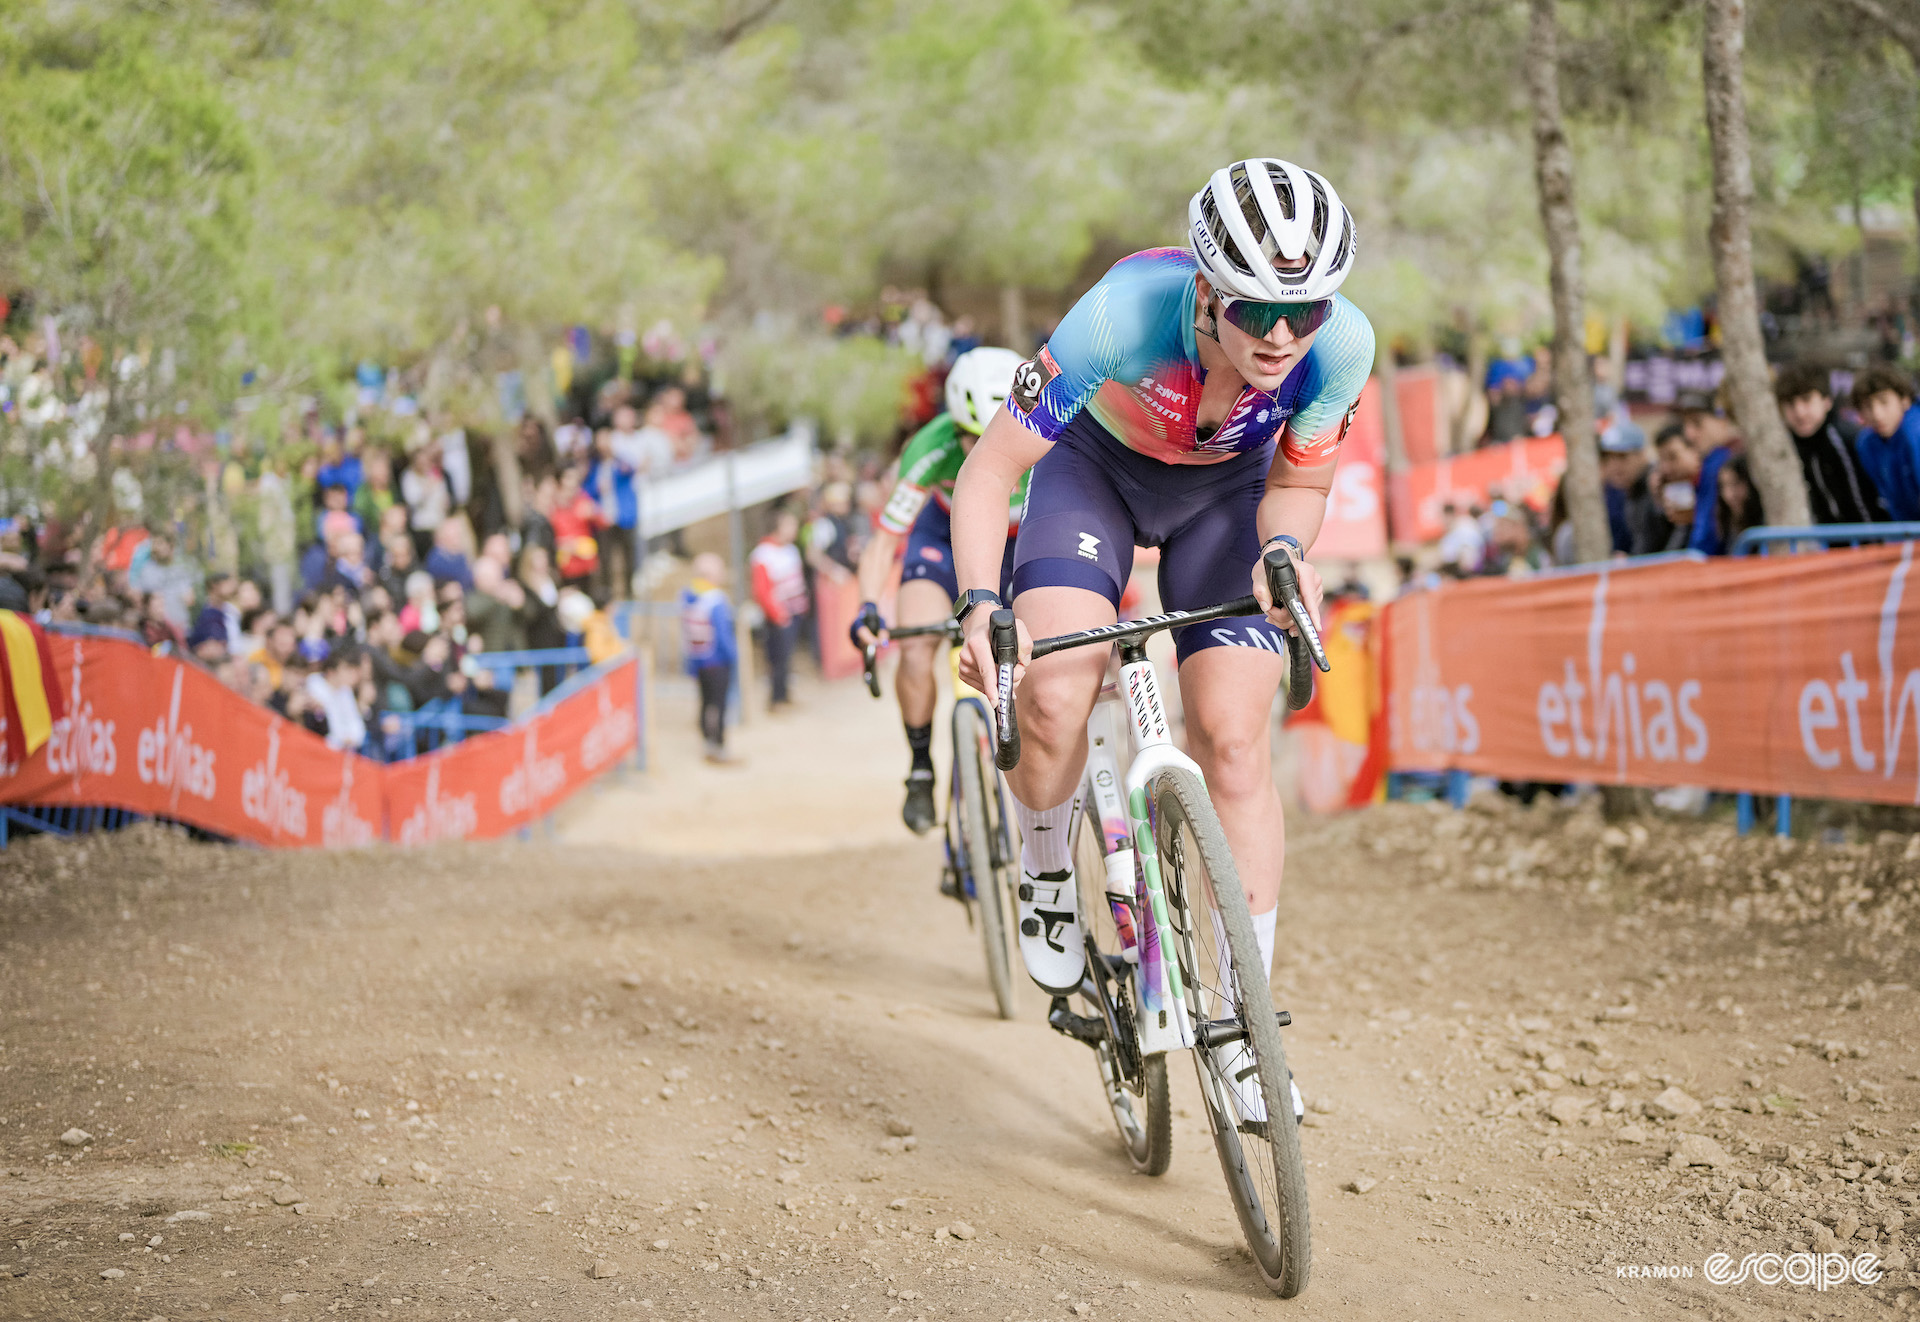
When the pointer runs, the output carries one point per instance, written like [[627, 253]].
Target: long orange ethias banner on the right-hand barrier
[[1779, 674]]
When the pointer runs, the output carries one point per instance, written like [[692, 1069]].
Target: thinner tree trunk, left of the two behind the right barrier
[[1573, 387]]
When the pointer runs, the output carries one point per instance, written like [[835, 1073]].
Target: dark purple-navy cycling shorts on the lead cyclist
[[1092, 502]]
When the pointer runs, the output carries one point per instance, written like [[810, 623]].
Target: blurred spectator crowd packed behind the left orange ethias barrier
[[385, 565]]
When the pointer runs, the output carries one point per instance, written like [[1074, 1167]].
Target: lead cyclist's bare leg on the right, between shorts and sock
[[1228, 696]]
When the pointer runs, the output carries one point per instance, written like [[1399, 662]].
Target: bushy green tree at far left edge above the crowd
[[126, 187]]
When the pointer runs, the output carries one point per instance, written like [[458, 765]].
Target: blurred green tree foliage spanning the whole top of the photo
[[204, 189]]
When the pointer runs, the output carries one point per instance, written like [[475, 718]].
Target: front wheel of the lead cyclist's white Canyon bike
[[1260, 1158]]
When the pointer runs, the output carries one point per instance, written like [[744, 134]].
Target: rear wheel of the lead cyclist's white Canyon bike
[[1136, 1087]]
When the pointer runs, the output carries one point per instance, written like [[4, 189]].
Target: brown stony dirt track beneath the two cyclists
[[683, 1041]]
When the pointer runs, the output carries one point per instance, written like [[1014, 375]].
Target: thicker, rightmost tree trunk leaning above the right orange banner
[[1771, 454]]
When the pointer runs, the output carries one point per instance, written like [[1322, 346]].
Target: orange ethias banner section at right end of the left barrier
[[500, 782]]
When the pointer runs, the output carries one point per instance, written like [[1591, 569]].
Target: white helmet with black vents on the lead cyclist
[[1259, 212]]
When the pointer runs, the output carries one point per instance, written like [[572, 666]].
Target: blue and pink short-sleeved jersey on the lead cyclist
[[1126, 354]]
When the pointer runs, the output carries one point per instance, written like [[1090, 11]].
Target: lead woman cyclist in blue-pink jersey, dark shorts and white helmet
[[1193, 402]]
